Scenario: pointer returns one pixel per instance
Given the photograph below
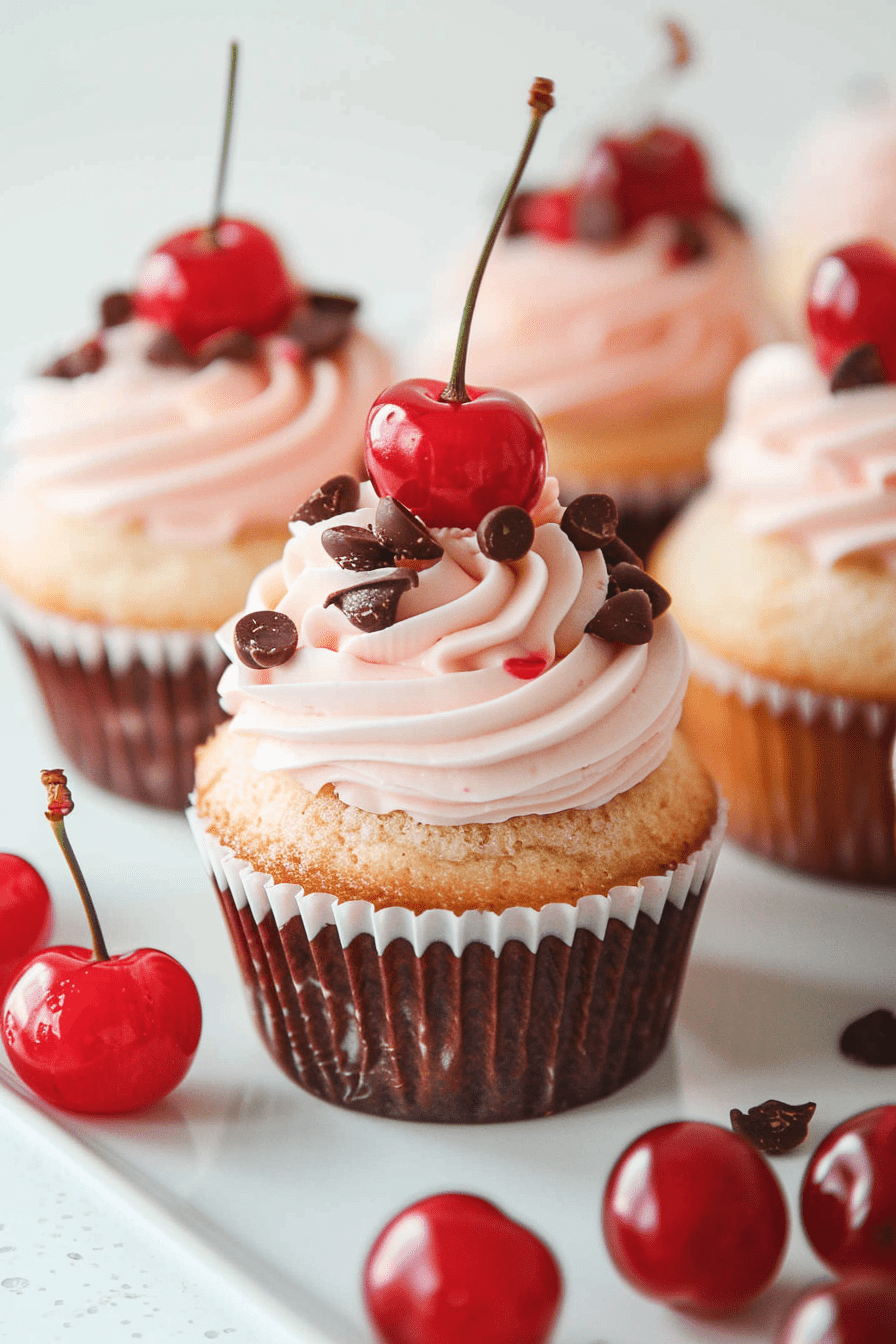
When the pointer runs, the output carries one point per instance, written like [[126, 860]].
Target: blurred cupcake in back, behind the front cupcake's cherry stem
[[619, 308]]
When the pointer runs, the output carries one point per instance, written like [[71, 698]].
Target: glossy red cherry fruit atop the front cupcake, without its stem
[[452, 463]]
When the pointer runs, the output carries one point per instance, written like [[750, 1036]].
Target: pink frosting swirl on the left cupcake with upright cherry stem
[[193, 456]]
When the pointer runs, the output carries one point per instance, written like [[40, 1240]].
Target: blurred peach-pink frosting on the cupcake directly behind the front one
[[611, 329]]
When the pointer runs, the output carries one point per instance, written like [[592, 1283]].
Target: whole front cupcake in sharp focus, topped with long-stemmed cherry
[[457, 842]]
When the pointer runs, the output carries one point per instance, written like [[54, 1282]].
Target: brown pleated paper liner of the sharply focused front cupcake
[[471, 1018]]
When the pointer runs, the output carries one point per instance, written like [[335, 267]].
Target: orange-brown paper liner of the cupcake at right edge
[[808, 776]]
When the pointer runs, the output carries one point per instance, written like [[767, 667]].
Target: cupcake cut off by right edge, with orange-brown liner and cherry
[[785, 580]]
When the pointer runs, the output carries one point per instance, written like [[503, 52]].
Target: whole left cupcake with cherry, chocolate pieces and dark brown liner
[[154, 470]]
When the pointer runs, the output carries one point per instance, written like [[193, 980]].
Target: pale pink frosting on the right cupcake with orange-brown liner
[[813, 467]]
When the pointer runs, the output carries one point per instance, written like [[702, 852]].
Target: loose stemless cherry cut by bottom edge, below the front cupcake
[[453, 1269]]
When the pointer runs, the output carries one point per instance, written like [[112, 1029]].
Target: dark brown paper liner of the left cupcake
[[130, 706]]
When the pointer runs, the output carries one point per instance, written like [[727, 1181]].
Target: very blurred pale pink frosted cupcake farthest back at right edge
[[842, 186]]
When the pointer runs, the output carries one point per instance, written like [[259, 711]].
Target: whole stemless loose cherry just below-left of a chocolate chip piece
[[694, 1217]]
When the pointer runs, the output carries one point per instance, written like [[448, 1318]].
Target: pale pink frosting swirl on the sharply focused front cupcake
[[425, 717]]
